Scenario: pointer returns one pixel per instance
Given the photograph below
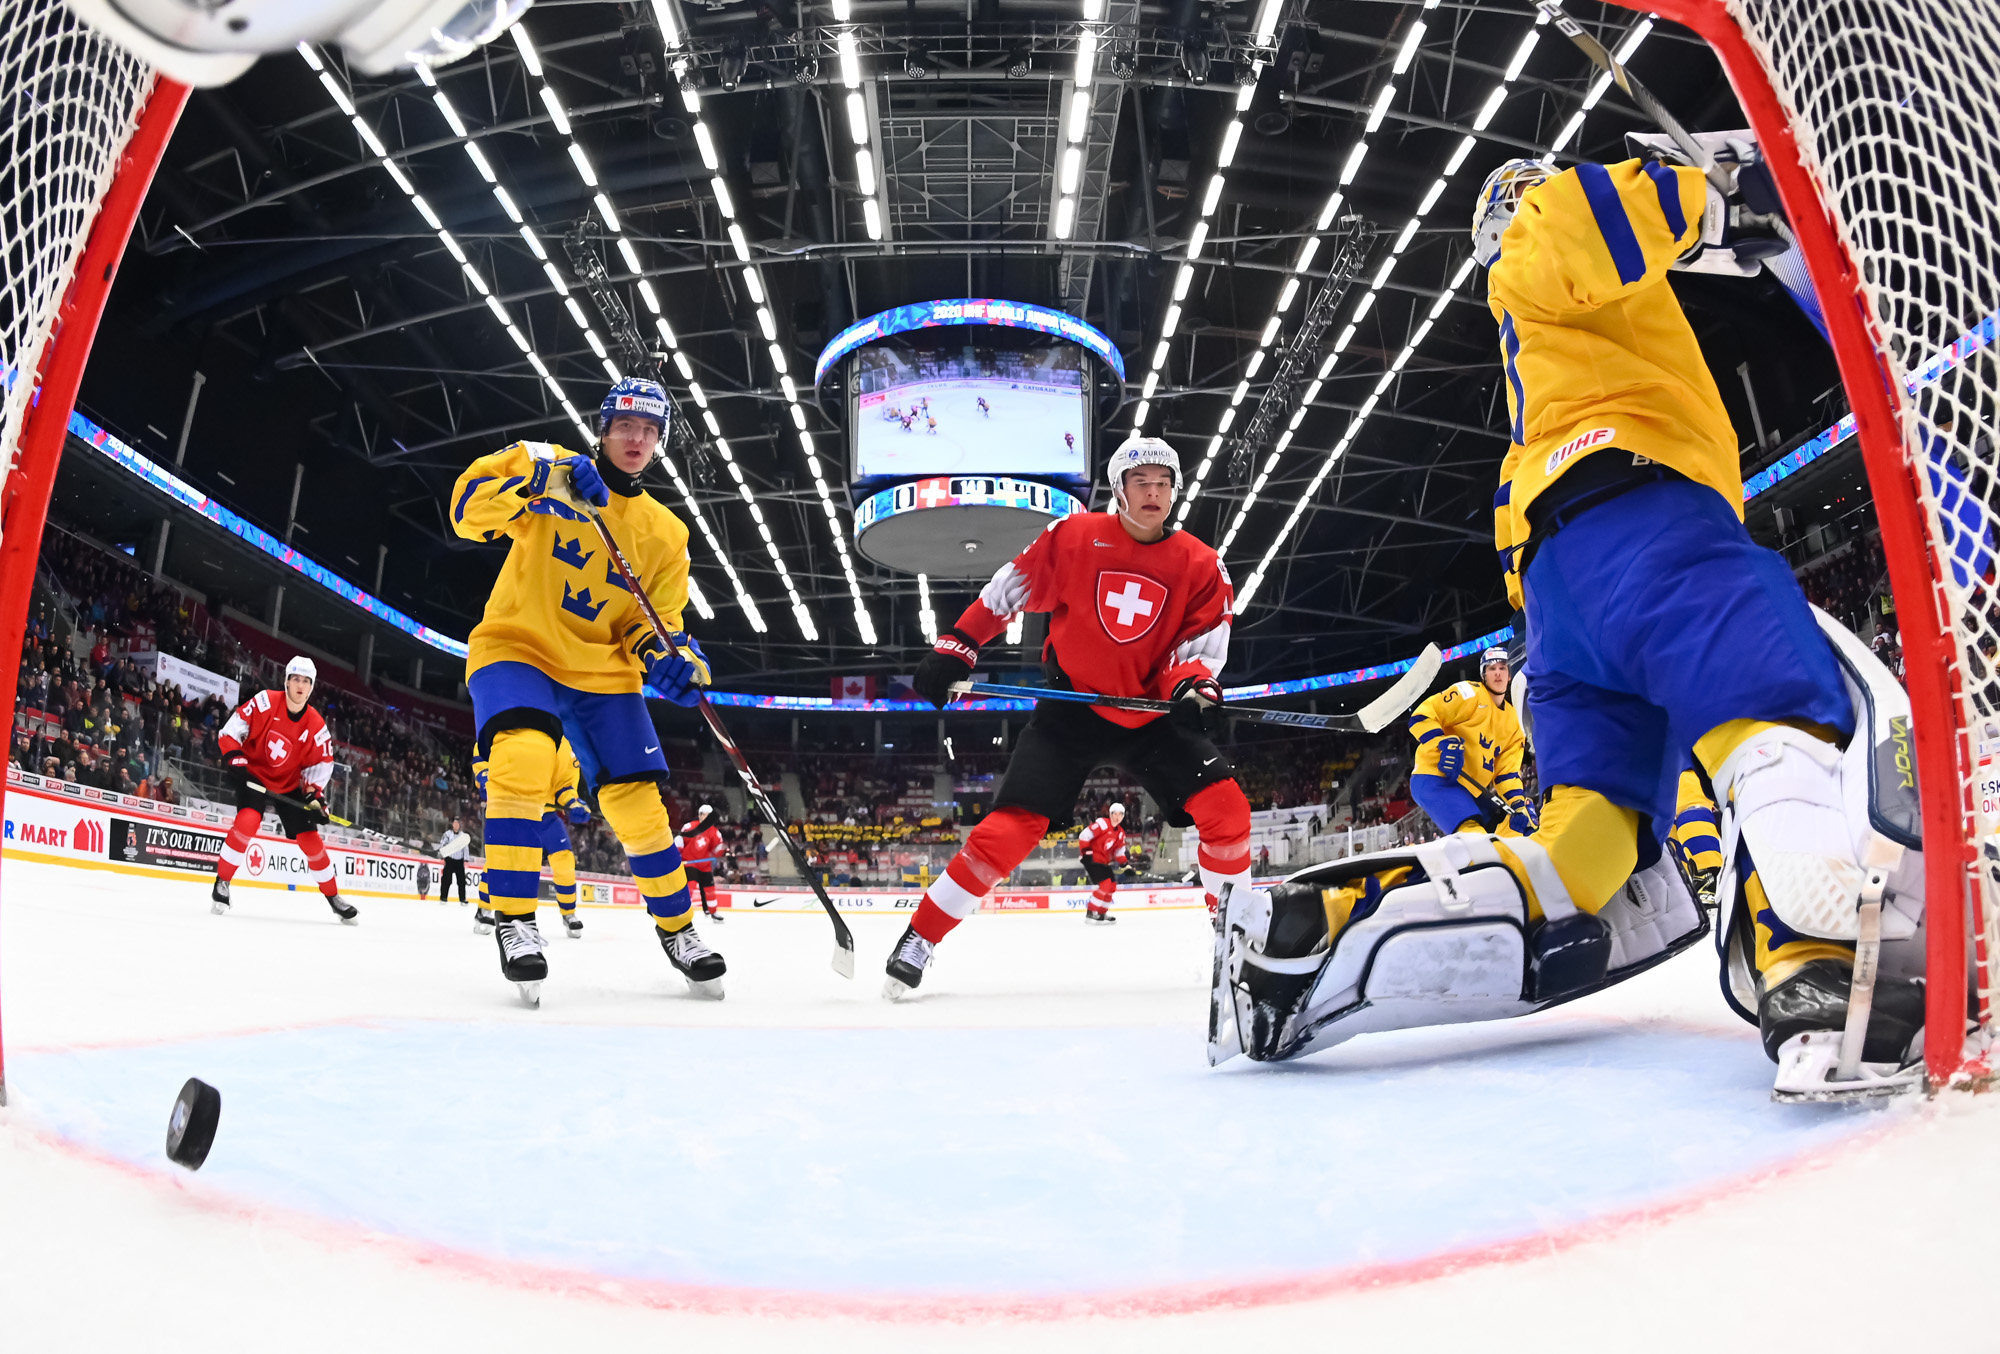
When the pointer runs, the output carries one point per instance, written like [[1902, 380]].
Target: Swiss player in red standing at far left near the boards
[[281, 755]]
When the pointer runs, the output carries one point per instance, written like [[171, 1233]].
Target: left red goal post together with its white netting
[[81, 133]]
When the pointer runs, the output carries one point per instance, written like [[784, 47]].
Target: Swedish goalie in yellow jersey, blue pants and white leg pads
[[1655, 625]]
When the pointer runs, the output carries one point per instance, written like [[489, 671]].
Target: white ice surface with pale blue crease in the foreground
[[1035, 1151]]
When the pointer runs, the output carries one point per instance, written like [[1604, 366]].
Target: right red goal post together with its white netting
[[1881, 123]]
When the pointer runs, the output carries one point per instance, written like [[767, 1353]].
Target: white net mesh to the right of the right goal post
[[1897, 109]]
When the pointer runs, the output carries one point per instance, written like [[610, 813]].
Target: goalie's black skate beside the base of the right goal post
[[1805, 1017]]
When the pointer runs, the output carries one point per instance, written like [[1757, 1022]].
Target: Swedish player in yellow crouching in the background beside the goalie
[[1469, 751]]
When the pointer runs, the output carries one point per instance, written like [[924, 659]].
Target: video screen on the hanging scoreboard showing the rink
[[1021, 437]]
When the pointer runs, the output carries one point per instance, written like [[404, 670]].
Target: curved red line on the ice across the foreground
[[927, 1309]]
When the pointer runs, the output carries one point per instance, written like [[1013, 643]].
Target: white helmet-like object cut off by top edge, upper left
[[205, 43]]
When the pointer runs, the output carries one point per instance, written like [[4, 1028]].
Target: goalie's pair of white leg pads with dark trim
[[1445, 933]]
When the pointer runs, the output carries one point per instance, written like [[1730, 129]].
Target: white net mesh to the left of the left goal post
[[69, 103]]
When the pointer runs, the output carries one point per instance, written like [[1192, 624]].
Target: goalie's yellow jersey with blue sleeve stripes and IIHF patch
[[1593, 341]]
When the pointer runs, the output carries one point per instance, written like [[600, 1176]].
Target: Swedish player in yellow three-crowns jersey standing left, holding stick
[[565, 651]]
